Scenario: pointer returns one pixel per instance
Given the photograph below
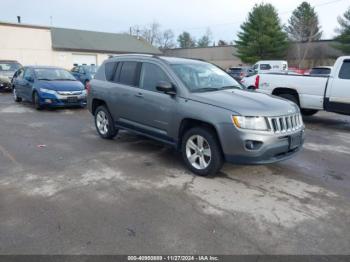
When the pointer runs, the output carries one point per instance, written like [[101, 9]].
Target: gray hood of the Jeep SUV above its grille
[[247, 103]]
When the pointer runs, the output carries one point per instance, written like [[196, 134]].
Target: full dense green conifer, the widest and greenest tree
[[261, 36]]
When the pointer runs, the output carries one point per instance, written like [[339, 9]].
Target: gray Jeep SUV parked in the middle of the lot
[[195, 107]]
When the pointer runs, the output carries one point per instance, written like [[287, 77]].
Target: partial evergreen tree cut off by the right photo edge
[[344, 33]]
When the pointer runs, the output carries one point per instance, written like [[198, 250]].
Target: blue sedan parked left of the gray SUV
[[48, 86]]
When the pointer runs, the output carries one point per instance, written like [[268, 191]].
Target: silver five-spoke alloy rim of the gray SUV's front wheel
[[198, 152]]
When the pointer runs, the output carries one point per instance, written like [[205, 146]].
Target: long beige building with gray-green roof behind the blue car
[[40, 45]]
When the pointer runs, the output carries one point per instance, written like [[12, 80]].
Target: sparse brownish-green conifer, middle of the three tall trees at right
[[303, 25]]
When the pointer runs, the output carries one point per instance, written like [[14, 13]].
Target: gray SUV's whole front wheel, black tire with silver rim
[[201, 151]]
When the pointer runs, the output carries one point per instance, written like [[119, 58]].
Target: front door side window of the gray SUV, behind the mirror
[[151, 74]]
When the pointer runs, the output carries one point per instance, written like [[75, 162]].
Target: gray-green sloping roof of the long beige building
[[90, 41]]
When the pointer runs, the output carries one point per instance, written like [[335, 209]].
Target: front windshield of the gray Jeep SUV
[[203, 77]]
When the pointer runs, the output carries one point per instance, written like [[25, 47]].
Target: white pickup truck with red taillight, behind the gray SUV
[[311, 93]]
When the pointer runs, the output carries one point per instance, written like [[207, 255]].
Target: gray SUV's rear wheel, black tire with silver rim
[[104, 123]]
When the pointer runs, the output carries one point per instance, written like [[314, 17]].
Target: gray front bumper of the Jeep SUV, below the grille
[[272, 147]]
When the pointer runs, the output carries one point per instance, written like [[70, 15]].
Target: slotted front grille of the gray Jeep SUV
[[283, 124]]
